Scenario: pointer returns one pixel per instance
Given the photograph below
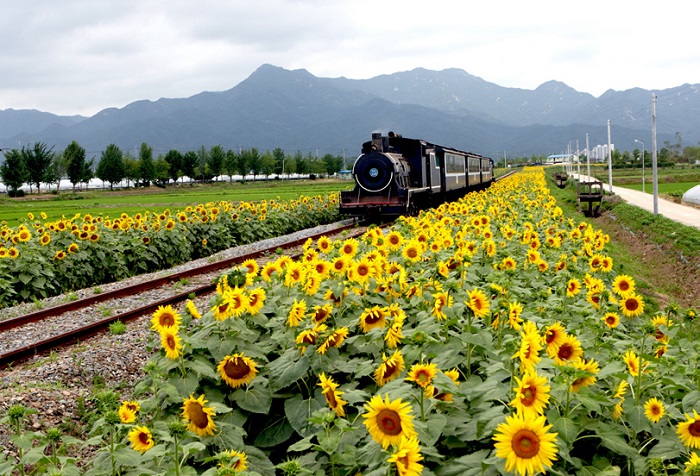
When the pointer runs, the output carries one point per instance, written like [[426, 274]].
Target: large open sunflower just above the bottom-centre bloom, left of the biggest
[[387, 421]]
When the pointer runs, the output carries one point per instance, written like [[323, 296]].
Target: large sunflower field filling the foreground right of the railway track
[[487, 336]]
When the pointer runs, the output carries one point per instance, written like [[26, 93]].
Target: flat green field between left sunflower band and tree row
[[135, 200]]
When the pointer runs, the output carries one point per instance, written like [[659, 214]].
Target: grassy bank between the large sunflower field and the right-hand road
[[677, 242]]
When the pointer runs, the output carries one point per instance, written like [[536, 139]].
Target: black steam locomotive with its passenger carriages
[[399, 176]]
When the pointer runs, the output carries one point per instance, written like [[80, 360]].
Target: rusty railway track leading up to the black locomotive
[[157, 292]]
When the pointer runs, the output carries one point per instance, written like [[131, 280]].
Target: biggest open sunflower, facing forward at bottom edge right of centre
[[526, 444]]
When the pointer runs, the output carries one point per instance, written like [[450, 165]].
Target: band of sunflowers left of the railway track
[[41, 258]]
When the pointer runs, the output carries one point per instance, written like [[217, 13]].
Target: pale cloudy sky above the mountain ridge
[[81, 56]]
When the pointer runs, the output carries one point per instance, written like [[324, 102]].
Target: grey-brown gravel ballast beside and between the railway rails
[[57, 385]]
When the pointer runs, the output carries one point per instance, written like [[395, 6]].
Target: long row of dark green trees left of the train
[[37, 164]]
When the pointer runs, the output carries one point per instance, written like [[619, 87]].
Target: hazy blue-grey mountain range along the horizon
[[297, 111]]
